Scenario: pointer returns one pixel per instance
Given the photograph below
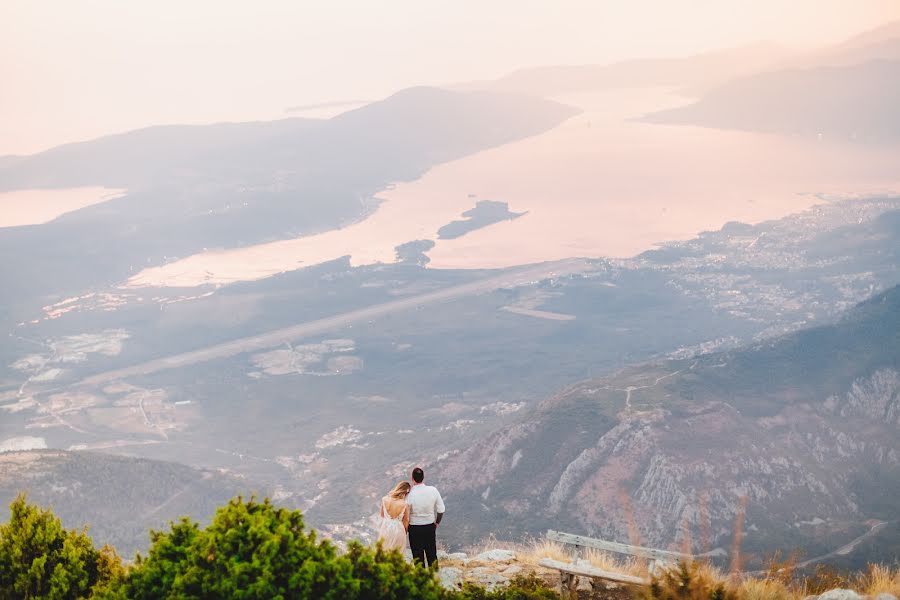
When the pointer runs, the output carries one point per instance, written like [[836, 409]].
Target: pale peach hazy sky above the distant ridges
[[72, 70]]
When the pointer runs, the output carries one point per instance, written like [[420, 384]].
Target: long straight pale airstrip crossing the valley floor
[[271, 339]]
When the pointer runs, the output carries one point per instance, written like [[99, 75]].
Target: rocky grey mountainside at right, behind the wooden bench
[[666, 452]]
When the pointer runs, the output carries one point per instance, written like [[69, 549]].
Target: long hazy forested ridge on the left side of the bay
[[190, 188]]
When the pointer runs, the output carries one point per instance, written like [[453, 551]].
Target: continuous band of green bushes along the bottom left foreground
[[251, 550]]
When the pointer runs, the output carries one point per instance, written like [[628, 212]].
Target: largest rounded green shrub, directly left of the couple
[[254, 550]]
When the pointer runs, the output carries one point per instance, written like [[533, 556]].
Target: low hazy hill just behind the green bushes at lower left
[[119, 498]]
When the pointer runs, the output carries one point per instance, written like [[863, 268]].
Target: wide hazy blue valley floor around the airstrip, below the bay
[[335, 416]]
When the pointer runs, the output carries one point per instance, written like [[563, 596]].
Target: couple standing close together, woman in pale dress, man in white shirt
[[412, 513]]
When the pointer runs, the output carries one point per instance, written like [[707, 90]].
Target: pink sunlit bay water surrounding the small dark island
[[602, 184]]
